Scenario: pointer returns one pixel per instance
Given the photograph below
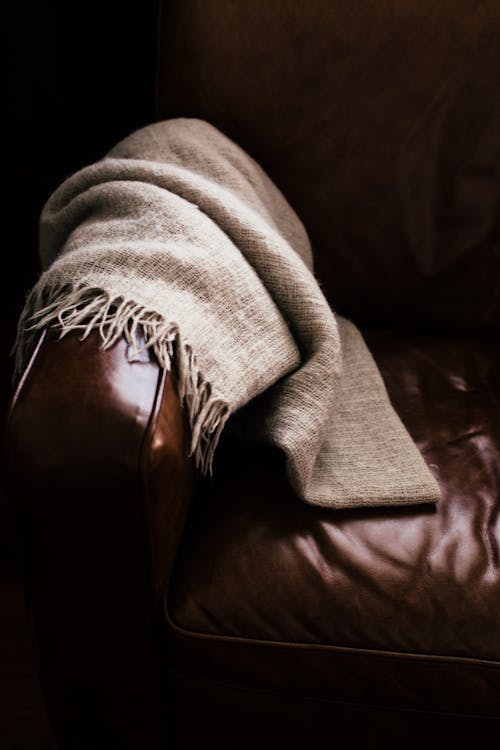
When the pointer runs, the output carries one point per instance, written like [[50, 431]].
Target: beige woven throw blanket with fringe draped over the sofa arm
[[178, 241]]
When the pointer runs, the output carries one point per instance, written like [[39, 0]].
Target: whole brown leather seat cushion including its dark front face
[[394, 606]]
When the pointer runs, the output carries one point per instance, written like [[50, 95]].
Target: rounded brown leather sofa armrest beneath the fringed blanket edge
[[100, 479]]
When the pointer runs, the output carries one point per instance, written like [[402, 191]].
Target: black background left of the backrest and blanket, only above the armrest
[[80, 76]]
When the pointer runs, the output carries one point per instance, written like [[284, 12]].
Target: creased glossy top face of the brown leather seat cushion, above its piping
[[401, 580]]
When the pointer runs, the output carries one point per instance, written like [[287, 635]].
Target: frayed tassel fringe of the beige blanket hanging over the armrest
[[82, 308]]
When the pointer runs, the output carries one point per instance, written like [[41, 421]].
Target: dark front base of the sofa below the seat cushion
[[267, 719]]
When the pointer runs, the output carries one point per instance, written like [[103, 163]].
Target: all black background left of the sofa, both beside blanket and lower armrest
[[79, 77]]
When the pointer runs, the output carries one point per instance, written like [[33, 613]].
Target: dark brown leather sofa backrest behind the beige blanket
[[380, 122]]
